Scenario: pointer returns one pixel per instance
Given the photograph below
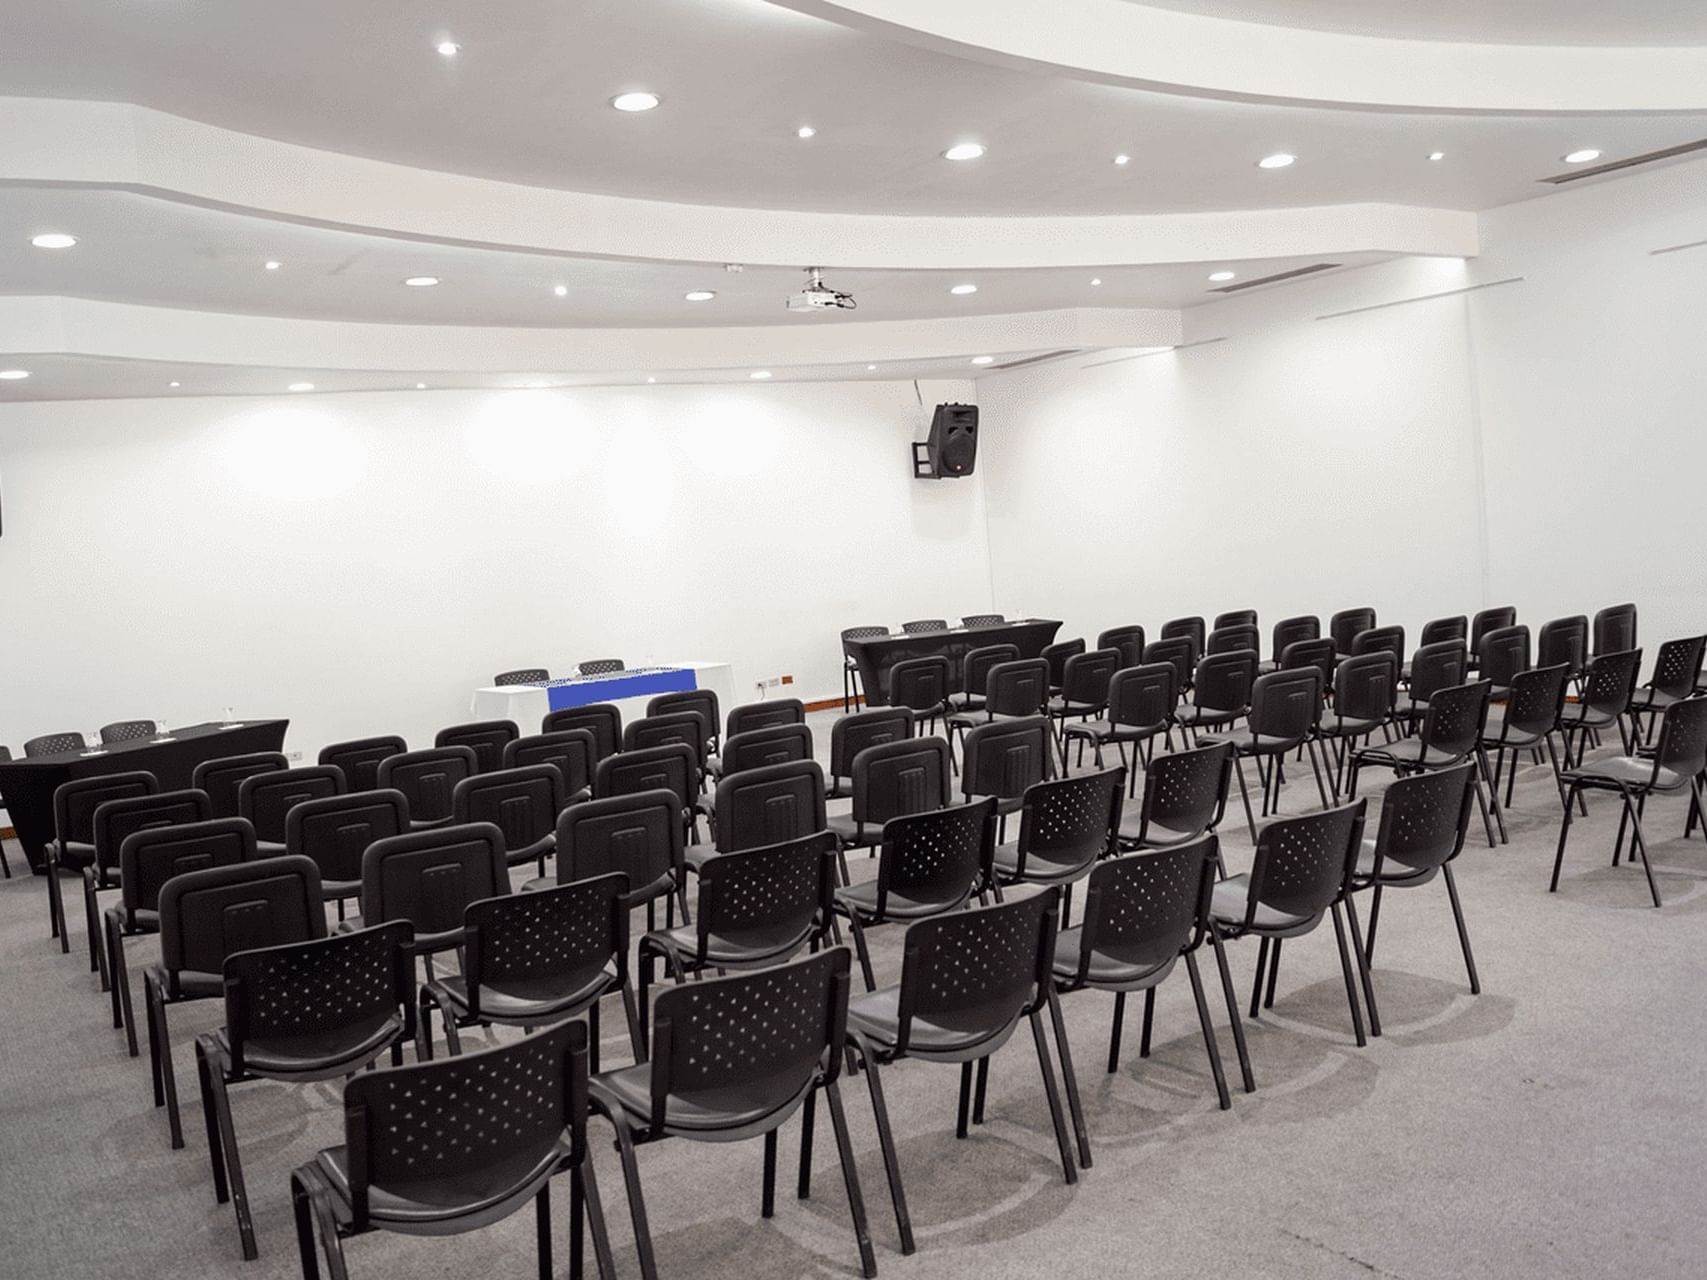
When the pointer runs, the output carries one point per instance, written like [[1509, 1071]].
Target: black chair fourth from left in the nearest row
[[1141, 916]]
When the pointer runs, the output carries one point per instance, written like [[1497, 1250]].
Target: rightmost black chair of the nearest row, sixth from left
[[1424, 822]]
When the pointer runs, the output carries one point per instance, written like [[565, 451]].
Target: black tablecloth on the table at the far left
[[28, 786]]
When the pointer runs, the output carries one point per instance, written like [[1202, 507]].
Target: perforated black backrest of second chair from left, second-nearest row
[[557, 940]]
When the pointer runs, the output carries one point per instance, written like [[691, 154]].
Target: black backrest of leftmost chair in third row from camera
[[207, 916]]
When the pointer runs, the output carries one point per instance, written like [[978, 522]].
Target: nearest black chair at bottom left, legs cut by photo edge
[[499, 1127]]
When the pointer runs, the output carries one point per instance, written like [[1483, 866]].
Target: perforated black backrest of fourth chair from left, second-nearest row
[[936, 861]]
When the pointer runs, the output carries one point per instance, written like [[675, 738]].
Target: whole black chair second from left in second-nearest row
[[532, 960]]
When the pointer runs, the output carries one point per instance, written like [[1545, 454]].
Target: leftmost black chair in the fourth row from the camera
[[148, 861]]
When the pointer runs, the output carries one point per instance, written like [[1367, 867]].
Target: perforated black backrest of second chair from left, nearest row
[[767, 1033]]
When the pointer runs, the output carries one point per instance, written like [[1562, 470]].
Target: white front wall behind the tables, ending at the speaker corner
[[361, 562]]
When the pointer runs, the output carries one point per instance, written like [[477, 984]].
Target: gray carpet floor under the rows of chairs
[[1551, 1127]]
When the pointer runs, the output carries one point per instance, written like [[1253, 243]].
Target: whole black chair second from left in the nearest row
[[733, 1059]]
